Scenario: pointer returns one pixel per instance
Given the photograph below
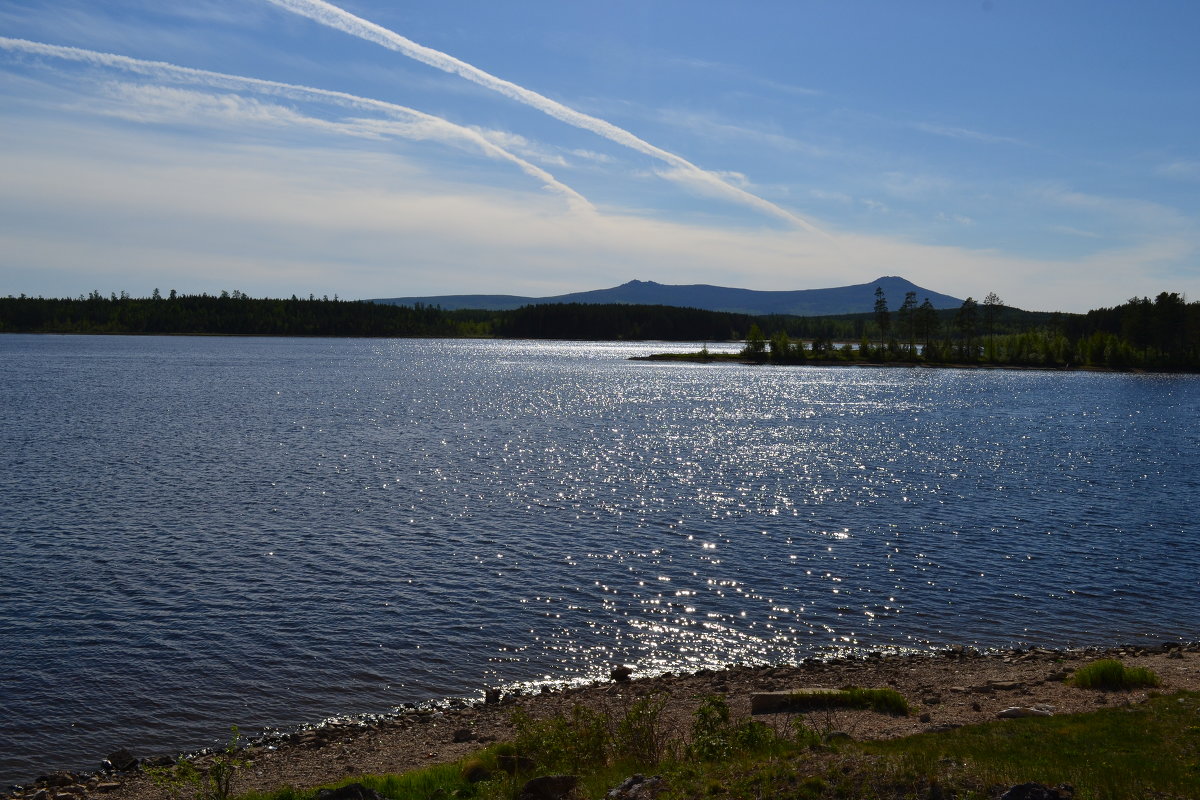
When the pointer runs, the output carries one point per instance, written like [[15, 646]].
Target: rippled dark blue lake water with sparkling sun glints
[[208, 532]]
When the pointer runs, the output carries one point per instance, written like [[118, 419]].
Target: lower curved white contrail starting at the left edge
[[430, 127]]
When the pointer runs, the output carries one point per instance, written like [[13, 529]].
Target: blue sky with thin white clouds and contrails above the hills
[[1047, 152]]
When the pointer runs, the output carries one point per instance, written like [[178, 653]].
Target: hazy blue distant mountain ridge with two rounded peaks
[[802, 303]]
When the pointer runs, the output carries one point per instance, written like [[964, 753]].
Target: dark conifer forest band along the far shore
[[1162, 334]]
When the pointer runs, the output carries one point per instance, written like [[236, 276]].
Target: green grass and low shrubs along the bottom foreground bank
[[1129, 751]]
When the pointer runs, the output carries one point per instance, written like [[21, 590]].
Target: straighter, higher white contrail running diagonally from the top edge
[[338, 19]]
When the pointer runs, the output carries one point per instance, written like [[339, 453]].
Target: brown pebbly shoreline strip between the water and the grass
[[949, 689]]
